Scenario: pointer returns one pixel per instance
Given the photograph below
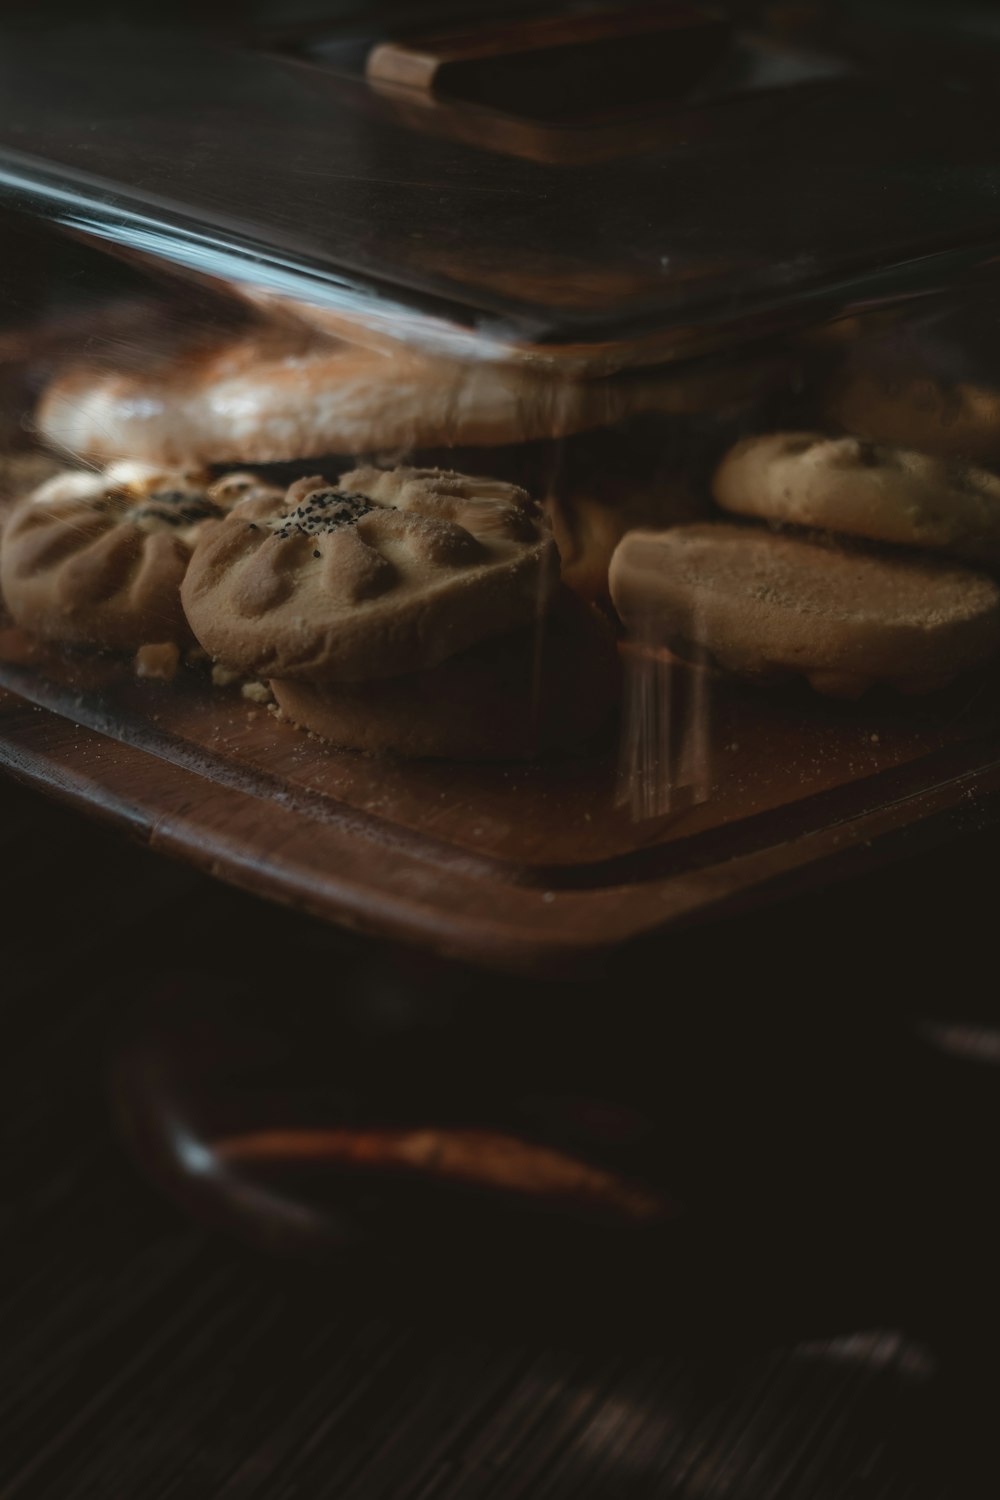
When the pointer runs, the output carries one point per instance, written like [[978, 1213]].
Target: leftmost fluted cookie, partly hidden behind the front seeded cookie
[[98, 559]]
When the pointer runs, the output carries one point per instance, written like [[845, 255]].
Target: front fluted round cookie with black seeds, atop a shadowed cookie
[[388, 572]]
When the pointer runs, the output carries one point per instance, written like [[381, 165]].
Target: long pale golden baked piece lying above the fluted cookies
[[280, 400]]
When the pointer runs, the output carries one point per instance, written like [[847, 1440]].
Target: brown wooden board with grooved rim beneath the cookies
[[524, 866]]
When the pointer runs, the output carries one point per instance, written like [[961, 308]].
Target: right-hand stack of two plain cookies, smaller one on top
[[855, 574]]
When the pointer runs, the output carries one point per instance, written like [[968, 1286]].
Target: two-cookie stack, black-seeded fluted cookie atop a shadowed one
[[415, 611]]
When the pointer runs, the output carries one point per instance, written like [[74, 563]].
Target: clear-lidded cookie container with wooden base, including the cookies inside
[[501, 514]]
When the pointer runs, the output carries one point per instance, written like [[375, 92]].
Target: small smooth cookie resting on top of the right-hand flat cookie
[[866, 490]]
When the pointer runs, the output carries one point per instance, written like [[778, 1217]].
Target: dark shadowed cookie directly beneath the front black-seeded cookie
[[549, 686]]
